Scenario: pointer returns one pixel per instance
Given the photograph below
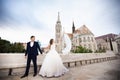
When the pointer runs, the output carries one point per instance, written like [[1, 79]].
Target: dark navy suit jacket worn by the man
[[33, 50]]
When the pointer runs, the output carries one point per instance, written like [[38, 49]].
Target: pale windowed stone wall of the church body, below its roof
[[87, 41]]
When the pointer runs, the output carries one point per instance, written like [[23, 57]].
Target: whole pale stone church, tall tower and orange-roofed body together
[[79, 37]]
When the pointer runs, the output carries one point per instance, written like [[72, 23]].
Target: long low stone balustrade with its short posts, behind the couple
[[16, 61]]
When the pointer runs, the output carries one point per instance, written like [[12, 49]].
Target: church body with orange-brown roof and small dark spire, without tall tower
[[83, 37]]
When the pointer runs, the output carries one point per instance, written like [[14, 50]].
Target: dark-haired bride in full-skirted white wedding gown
[[52, 65]]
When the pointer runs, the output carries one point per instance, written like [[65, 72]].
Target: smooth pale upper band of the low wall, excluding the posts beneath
[[18, 59]]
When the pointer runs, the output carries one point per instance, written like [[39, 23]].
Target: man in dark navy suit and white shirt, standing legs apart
[[31, 53]]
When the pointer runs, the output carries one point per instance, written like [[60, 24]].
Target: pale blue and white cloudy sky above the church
[[19, 19]]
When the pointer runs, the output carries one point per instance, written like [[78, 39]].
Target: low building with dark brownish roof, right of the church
[[107, 42]]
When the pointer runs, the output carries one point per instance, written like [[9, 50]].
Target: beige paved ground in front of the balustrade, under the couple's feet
[[109, 70]]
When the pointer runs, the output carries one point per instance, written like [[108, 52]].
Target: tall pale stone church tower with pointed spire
[[58, 35]]
